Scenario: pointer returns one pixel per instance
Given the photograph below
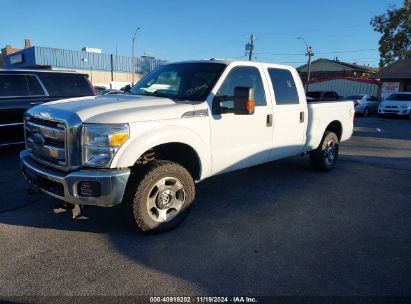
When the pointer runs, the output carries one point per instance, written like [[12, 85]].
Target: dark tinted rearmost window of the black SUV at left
[[66, 85]]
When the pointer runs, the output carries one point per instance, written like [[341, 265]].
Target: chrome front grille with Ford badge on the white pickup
[[46, 140]]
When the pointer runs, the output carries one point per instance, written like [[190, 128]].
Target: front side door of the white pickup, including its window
[[239, 141]]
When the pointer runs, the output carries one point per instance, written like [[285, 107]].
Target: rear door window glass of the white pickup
[[284, 87]]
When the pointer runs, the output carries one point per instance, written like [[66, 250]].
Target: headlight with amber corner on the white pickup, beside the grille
[[101, 143]]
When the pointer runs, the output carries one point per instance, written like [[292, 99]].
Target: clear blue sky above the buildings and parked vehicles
[[177, 30]]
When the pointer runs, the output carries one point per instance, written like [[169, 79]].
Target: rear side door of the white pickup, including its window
[[290, 113]]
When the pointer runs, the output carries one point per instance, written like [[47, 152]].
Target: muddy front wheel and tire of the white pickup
[[150, 186]]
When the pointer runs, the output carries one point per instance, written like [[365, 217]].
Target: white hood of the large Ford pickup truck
[[118, 108]]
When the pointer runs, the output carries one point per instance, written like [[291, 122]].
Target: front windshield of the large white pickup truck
[[180, 81]]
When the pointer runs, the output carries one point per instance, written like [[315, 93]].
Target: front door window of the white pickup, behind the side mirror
[[242, 77]]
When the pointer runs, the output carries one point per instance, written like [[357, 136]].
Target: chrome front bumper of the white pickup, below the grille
[[65, 186]]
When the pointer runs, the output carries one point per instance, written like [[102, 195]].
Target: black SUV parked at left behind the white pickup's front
[[22, 89]]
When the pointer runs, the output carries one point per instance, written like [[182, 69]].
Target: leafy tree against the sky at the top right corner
[[395, 27]]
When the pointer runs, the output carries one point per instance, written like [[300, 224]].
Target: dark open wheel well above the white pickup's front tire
[[179, 153]]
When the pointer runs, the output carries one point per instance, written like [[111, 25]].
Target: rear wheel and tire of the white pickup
[[325, 156]]
